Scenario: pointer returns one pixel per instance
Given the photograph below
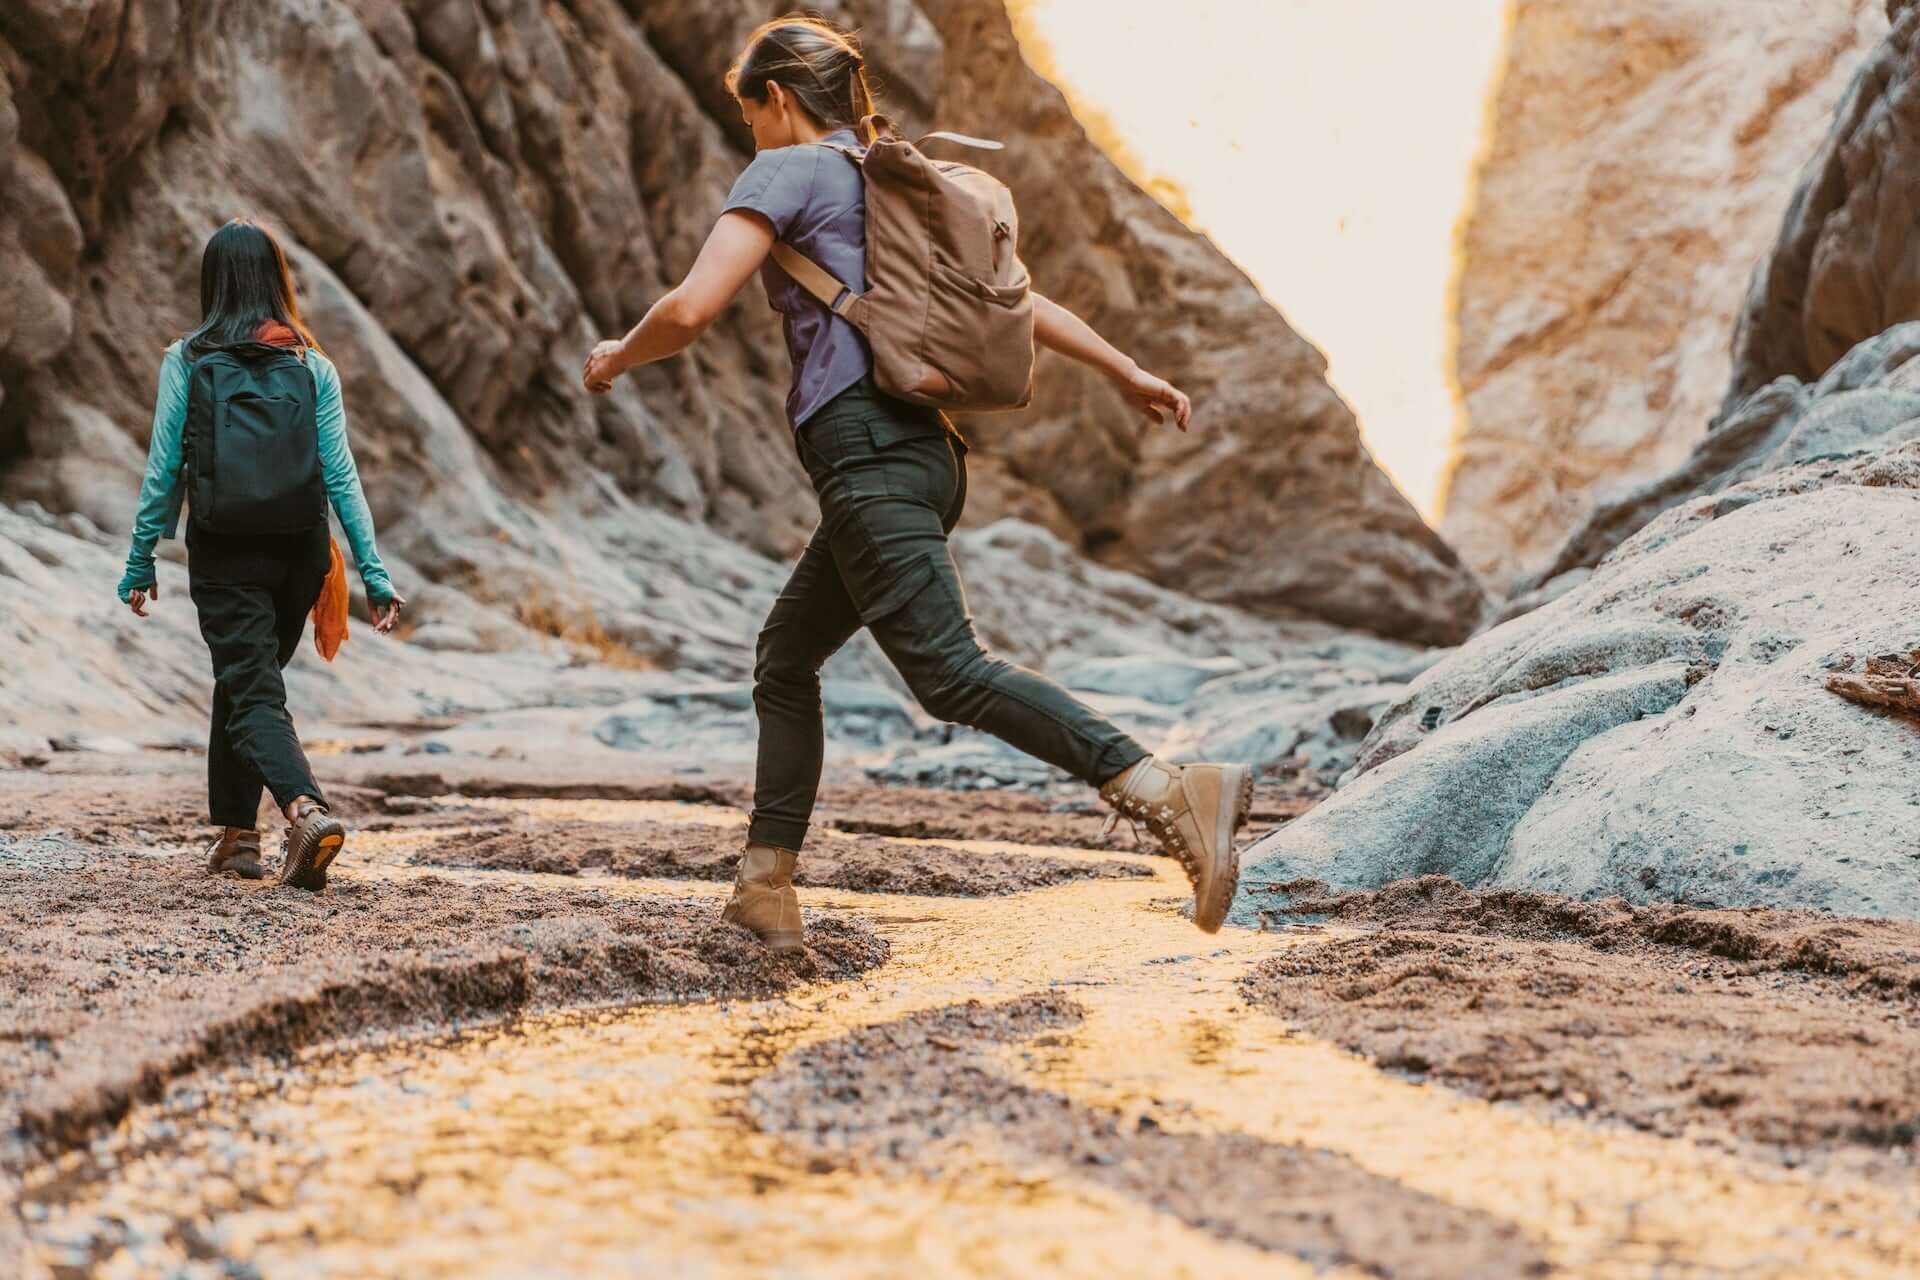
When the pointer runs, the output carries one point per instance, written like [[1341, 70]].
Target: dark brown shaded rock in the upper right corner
[[1848, 262]]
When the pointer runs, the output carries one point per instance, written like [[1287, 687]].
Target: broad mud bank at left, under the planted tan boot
[[126, 970]]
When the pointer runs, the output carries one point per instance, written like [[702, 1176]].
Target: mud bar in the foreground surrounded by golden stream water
[[923, 1093]]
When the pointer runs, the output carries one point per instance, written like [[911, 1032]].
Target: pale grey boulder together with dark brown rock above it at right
[[1700, 628]]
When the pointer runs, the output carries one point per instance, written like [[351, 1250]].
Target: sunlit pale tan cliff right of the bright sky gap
[[1639, 166]]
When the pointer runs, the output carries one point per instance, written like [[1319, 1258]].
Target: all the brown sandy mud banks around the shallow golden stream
[[124, 968]]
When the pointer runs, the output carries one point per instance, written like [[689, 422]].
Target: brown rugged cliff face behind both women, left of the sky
[[477, 191]]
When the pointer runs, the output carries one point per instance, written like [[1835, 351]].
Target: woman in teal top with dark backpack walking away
[[249, 427]]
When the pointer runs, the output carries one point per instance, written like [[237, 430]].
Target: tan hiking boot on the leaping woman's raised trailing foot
[[1195, 813]]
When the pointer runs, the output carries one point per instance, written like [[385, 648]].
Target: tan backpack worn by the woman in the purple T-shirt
[[948, 306]]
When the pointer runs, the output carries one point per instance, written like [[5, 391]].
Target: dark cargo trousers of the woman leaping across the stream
[[892, 483]]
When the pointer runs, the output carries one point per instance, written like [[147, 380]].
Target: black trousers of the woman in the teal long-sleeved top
[[254, 596]]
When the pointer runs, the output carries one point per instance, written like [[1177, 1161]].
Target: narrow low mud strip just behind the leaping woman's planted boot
[[702, 853]]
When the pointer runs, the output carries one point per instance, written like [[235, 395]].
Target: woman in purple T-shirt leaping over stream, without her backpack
[[892, 485]]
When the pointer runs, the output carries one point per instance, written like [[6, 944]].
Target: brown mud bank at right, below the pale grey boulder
[[1792, 1031]]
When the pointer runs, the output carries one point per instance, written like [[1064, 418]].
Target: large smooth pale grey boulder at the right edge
[[1618, 740]]
